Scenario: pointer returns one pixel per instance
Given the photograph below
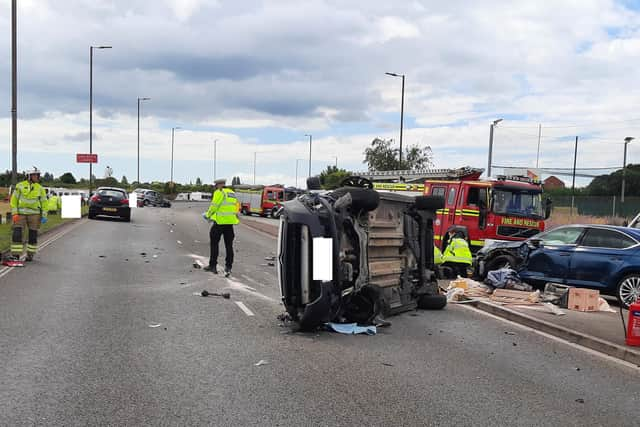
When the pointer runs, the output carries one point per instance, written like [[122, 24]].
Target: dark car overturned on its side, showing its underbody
[[353, 254]]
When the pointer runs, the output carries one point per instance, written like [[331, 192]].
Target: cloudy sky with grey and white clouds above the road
[[259, 75]]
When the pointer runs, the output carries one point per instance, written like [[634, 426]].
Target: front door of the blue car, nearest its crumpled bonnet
[[551, 260]]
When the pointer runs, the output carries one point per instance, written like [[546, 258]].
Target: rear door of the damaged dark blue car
[[599, 255]]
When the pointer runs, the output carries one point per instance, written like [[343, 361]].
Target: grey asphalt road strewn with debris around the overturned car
[[77, 347]]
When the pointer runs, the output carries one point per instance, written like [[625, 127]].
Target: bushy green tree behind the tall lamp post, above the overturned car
[[381, 156]]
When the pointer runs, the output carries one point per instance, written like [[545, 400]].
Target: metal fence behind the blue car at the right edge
[[601, 206]]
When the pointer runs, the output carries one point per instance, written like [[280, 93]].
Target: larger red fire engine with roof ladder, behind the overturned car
[[504, 208]]
